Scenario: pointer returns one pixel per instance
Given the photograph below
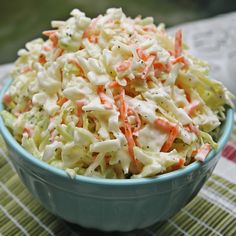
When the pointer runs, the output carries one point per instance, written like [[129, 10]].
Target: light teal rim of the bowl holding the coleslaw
[[7, 136]]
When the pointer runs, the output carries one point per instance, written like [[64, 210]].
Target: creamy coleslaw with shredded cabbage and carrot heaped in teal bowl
[[113, 97]]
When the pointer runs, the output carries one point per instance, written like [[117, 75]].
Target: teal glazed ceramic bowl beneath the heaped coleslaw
[[111, 205]]
